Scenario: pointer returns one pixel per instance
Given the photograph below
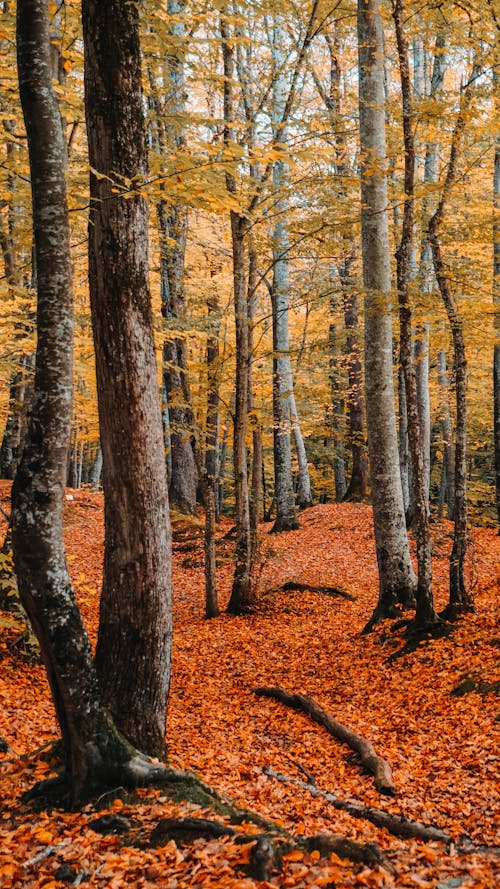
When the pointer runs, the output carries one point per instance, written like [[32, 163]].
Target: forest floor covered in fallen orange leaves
[[442, 744]]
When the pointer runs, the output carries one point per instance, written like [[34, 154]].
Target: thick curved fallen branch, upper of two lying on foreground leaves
[[378, 767]]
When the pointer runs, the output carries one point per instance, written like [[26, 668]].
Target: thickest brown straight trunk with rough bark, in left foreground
[[133, 649]]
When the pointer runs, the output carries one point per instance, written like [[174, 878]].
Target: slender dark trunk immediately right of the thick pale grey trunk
[[425, 613]]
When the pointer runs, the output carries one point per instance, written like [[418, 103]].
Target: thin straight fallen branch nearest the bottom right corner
[[398, 825]]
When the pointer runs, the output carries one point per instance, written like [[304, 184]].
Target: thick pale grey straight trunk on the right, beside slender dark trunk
[[396, 577]]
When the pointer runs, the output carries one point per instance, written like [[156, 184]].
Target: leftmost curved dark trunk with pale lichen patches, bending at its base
[[95, 752]]
